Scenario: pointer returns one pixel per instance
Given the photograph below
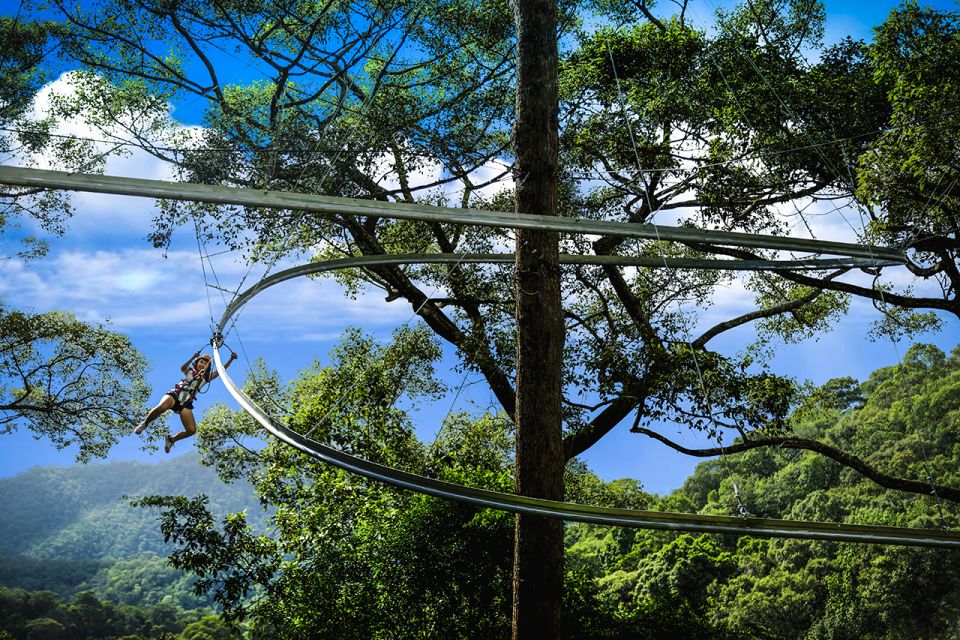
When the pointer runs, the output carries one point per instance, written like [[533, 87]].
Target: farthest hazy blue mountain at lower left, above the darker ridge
[[83, 512]]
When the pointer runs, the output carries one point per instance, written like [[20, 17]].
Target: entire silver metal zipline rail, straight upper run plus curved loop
[[854, 255]]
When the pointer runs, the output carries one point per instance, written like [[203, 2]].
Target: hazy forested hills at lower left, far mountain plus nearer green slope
[[73, 529]]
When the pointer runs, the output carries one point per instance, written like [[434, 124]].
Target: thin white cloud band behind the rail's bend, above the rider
[[139, 289]]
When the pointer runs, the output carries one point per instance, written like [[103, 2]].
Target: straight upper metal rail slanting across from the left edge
[[41, 178]]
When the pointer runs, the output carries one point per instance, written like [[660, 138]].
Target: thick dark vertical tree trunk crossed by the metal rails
[[538, 542]]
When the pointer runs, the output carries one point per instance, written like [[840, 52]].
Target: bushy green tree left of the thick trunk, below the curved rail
[[350, 557]]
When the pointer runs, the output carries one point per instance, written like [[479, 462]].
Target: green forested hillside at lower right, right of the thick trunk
[[904, 421]]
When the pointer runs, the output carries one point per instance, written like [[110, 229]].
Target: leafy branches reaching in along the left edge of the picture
[[63, 379]]
